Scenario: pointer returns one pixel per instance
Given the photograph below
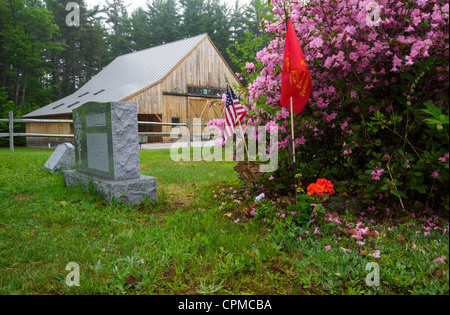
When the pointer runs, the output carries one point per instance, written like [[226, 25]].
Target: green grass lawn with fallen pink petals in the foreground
[[198, 239]]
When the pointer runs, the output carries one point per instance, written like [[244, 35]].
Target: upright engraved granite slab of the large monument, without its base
[[104, 141]]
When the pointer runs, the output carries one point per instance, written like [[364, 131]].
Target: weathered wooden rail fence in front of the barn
[[11, 134]]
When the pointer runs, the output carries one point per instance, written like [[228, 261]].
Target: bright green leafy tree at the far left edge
[[26, 47]]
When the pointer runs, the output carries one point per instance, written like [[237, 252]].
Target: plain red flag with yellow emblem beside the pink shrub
[[295, 78]]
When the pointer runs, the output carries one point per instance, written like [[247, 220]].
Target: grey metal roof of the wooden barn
[[125, 76]]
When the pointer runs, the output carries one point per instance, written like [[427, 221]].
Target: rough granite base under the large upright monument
[[133, 191]]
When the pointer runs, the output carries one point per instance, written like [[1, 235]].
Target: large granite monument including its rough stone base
[[107, 153]]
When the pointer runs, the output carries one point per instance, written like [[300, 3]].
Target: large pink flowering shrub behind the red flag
[[377, 119]]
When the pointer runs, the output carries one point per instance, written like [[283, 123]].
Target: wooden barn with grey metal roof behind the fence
[[170, 83]]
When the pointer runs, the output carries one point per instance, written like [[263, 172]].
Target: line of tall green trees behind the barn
[[43, 59]]
